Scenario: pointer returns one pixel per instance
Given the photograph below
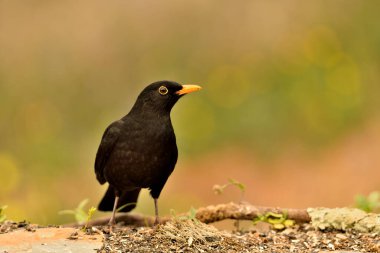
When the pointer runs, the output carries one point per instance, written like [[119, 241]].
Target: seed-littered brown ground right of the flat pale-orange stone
[[190, 236]]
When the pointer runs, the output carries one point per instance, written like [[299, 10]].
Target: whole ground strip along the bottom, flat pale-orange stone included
[[183, 236]]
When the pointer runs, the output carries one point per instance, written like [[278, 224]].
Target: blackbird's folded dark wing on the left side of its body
[[109, 139]]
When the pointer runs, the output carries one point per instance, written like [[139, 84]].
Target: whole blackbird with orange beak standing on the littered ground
[[139, 150]]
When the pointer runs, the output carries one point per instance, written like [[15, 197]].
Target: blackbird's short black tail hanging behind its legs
[[127, 199]]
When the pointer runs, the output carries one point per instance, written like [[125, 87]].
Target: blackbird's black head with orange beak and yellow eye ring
[[161, 96]]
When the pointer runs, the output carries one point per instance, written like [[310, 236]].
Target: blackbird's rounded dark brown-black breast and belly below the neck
[[144, 155]]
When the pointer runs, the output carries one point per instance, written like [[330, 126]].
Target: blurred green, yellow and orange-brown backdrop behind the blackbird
[[289, 105]]
